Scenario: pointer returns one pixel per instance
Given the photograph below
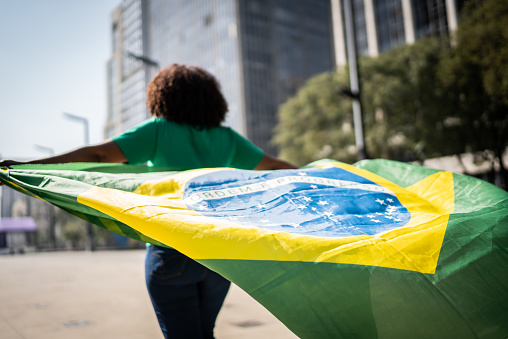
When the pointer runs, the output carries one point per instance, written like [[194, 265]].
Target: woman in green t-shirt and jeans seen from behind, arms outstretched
[[184, 133]]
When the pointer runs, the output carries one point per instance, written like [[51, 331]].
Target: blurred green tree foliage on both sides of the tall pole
[[401, 108]]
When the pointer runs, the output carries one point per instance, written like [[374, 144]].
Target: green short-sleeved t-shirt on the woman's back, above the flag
[[163, 143]]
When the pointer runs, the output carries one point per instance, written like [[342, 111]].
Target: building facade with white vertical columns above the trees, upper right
[[381, 25]]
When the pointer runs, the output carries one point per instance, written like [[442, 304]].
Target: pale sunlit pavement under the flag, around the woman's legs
[[102, 295]]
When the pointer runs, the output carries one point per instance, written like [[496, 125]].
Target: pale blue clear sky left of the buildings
[[53, 56]]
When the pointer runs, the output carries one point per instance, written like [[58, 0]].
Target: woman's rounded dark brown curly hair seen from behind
[[187, 94]]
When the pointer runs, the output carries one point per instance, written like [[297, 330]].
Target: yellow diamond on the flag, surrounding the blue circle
[[158, 209]]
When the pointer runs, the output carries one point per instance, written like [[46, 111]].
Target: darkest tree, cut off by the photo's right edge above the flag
[[475, 75]]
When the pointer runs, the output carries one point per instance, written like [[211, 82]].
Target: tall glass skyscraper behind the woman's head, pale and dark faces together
[[261, 51]]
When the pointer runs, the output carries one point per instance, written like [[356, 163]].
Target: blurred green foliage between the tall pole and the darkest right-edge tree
[[403, 103]]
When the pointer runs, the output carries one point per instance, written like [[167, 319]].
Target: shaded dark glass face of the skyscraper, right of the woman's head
[[283, 43]]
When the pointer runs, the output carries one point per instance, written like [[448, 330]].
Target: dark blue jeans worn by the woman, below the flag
[[186, 296]]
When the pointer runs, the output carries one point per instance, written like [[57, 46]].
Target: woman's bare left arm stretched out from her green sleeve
[[107, 151]]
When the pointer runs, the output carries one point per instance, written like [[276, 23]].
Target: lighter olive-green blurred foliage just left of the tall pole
[[317, 123]]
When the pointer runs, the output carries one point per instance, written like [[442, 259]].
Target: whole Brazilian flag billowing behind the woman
[[378, 249]]
